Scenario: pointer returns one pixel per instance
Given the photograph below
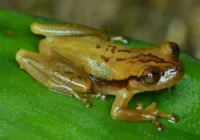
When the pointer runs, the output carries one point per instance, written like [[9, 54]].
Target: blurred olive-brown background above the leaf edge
[[152, 21]]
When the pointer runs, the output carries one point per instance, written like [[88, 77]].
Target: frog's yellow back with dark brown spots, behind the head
[[100, 58]]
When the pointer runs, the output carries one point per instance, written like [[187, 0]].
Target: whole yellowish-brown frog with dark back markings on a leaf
[[84, 62]]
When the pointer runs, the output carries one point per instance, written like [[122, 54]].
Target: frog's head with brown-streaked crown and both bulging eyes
[[159, 68]]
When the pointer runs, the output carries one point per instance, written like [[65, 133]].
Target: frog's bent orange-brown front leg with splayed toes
[[121, 112]]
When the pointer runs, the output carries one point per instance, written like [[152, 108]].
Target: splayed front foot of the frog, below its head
[[154, 113]]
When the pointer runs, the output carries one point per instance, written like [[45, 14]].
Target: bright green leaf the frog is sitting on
[[30, 111]]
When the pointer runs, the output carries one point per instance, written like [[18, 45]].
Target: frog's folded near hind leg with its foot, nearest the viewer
[[62, 76]]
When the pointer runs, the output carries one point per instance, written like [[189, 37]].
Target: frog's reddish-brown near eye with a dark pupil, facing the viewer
[[150, 75]]
